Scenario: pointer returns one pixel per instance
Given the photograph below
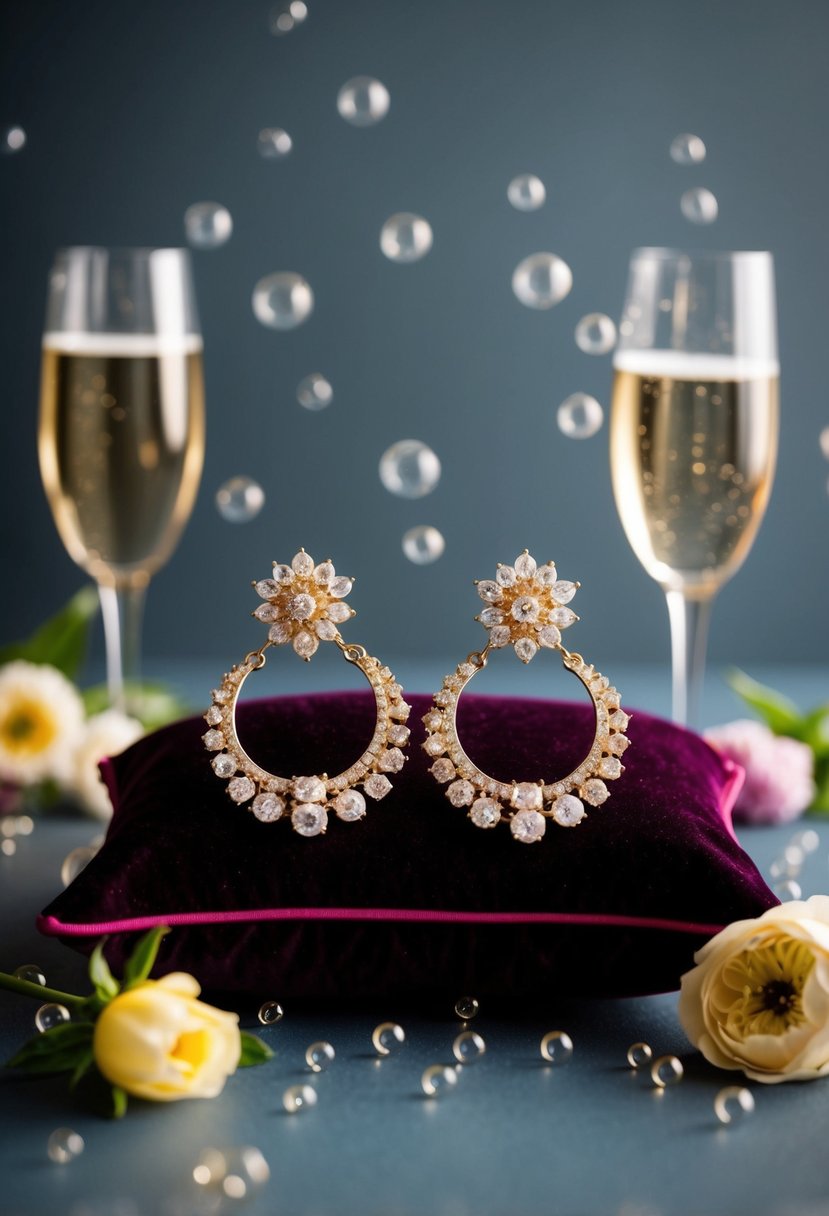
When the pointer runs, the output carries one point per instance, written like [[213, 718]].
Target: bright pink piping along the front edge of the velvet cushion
[[53, 927]]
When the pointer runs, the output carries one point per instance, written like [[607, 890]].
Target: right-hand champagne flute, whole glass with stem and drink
[[693, 432]]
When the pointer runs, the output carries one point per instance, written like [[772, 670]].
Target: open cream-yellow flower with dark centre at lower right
[[759, 997]]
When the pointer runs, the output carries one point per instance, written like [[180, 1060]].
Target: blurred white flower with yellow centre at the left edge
[[42, 719]]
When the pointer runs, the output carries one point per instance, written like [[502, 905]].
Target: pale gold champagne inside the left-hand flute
[[121, 446]]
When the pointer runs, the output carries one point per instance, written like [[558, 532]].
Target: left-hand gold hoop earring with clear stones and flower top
[[303, 605]]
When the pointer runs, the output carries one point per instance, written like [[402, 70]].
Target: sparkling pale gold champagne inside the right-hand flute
[[693, 444]]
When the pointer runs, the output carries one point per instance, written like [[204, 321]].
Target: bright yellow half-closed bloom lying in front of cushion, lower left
[[157, 1042]]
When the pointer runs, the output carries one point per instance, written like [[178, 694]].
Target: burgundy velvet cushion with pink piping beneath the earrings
[[414, 902]]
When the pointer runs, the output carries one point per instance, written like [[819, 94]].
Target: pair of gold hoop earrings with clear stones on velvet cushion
[[526, 607]]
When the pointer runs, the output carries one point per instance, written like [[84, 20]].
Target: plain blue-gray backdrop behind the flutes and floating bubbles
[[137, 110]]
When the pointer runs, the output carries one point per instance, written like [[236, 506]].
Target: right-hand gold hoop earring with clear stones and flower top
[[527, 609]]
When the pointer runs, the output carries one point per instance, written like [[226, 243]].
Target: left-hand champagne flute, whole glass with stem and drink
[[122, 426]]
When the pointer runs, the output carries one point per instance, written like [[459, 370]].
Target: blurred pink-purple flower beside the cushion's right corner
[[779, 772]]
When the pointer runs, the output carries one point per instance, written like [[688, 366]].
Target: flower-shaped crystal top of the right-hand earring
[[526, 606]]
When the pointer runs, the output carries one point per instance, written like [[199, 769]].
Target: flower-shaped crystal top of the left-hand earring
[[304, 604]]
